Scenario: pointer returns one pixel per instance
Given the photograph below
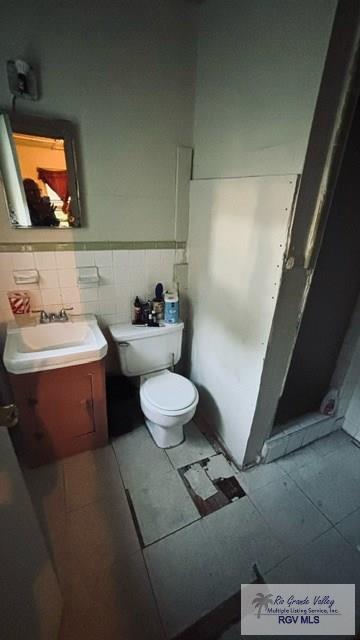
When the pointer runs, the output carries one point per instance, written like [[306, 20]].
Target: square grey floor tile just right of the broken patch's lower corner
[[290, 514]]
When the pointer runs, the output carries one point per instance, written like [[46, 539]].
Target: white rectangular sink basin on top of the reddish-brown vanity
[[38, 347]]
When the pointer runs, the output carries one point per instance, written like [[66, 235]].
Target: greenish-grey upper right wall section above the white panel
[[259, 68]]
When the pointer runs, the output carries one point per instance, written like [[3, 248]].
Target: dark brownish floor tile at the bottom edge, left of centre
[[120, 605]]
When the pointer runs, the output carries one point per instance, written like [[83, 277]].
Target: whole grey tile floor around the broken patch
[[153, 575]]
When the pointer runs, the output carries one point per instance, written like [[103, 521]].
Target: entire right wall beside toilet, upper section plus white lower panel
[[259, 69]]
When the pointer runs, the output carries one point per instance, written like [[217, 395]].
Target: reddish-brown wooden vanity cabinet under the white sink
[[61, 412]]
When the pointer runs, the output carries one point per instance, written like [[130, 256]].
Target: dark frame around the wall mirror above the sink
[[49, 128]]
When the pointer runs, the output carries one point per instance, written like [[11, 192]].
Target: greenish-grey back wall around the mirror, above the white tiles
[[125, 76]]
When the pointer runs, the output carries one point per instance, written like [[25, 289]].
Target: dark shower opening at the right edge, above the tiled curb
[[332, 296]]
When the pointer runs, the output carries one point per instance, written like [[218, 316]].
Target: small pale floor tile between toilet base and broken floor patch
[[196, 447]]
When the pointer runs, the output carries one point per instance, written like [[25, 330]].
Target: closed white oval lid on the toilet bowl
[[170, 392]]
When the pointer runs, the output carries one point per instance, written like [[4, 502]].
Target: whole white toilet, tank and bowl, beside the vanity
[[168, 400]]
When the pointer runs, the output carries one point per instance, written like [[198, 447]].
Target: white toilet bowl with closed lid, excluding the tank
[[168, 401]]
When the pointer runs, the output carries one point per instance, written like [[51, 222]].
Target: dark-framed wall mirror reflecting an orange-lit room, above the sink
[[39, 172]]
